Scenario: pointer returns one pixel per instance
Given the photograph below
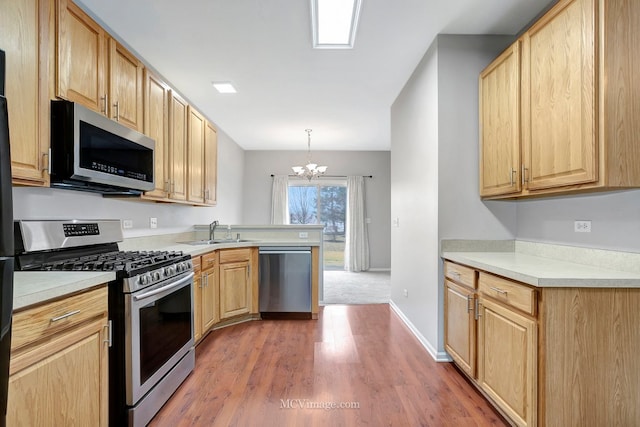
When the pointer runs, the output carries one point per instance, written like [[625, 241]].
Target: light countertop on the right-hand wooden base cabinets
[[545, 272]]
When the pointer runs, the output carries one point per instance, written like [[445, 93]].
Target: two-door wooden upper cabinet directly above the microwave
[[95, 70]]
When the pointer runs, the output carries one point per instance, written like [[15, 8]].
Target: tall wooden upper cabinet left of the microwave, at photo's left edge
[[24, 38]]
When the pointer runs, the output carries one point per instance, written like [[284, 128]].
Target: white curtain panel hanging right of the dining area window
[[356, 251]]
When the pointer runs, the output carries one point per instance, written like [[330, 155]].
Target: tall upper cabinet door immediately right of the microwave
[[156, 126]]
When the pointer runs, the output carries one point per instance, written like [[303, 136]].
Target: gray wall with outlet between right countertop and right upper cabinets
[[615, 220]]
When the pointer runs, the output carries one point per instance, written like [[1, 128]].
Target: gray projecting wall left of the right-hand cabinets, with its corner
[[434, 176]]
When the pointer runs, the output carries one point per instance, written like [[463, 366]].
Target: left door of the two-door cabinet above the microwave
[[80, 57]]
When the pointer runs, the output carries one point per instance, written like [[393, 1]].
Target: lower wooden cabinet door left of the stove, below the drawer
[[66, 383]]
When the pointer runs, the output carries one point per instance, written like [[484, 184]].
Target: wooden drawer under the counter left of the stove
[[33, 324]]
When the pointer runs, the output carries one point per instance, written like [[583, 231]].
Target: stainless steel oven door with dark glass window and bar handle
[[159, 332]]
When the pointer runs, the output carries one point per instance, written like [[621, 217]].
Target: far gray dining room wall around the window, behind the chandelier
[[259, 165]]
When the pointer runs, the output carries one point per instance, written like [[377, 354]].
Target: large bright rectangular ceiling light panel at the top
[[334, 23]]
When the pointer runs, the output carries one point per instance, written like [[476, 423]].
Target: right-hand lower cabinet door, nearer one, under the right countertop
[[507, 358]]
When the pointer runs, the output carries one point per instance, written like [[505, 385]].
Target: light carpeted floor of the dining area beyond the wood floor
[[345, 287]]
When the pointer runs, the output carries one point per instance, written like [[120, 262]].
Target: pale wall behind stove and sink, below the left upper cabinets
[[48, 203]]
